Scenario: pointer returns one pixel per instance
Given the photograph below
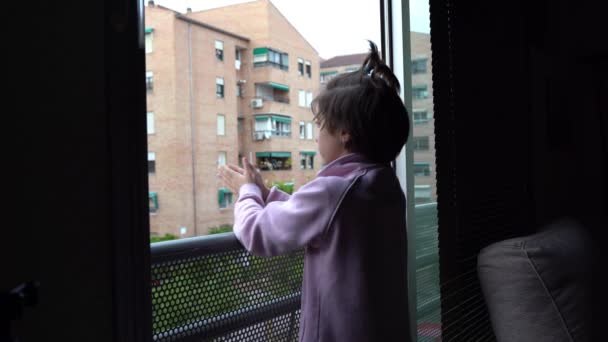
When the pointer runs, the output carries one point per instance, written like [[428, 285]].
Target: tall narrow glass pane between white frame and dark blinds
[[425, 234]]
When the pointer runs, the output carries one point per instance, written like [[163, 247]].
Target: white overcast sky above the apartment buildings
[[333, 27]]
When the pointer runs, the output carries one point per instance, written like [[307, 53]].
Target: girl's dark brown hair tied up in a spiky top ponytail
[[366, 104]]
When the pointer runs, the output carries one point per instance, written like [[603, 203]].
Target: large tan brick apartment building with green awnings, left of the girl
[[224, 83]]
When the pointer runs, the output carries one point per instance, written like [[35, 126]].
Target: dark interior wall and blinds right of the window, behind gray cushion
[[518, 129]]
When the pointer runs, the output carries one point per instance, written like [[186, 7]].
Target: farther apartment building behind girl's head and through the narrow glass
[[422, 112]]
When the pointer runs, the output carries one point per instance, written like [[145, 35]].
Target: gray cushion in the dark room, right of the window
[[536, 286]]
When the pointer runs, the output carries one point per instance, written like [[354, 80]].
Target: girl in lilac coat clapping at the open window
[[350, 219]]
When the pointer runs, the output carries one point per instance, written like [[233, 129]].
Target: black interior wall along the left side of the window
[[56, 137]]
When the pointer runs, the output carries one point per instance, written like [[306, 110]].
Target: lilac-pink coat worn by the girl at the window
[[351, 222]]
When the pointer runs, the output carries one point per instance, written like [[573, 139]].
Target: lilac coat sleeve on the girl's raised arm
[[279, 227]]
